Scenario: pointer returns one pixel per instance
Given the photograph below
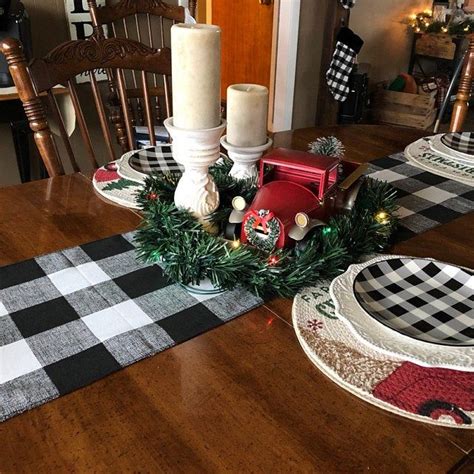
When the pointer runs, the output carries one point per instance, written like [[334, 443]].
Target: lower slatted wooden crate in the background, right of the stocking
[[409, 110]]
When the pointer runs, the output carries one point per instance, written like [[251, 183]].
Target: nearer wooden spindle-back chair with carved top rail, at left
[[61, 66]]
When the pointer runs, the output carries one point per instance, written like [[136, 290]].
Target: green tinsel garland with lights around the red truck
[[188, 254]]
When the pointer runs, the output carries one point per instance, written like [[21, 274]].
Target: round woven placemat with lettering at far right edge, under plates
[[421, 155]]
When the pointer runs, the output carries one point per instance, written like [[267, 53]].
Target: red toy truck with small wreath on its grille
[[298, 192]]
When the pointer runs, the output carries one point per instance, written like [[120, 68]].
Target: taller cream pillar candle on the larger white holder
[[196, 75]]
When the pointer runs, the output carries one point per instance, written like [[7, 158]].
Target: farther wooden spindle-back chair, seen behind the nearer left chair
[[147, 21]]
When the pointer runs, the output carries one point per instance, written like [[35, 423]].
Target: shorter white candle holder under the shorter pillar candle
[[245, 158]]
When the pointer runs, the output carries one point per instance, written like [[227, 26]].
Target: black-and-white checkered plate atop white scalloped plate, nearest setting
[[424, 299]]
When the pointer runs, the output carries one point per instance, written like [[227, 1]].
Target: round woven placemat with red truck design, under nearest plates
[[436, 396]]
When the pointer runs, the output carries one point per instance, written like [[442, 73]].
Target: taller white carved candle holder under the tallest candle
[[196, 150]]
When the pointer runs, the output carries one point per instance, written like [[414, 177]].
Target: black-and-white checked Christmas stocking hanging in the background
[[348, 46]]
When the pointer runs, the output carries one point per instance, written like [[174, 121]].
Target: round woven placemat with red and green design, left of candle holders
[[114, 188]]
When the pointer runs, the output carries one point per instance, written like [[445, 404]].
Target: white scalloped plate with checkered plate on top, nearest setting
[[420, 309]]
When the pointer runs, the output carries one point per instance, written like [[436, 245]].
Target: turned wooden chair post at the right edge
[[461, 106]]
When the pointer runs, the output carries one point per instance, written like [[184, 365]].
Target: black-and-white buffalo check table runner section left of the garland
[[73, 317]]
